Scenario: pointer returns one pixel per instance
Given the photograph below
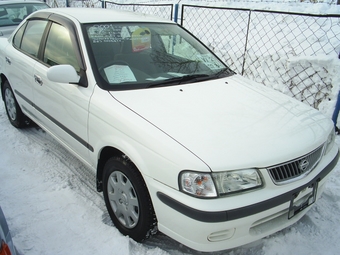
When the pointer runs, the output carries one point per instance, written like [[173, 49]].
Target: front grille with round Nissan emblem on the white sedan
[[291, 170]]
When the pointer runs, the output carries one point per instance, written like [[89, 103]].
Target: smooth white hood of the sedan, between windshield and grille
[[231, 123]]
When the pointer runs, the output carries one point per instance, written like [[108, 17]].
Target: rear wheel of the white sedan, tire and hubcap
[[14, 113]]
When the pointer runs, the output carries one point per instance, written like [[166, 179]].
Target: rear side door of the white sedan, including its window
[[20, 59]]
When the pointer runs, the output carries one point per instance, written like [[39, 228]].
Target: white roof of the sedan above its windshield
[[93, 15]]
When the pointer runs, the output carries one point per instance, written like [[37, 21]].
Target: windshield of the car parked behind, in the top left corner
[[13, 14]]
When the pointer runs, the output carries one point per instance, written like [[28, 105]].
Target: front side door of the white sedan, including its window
[[62, 108]]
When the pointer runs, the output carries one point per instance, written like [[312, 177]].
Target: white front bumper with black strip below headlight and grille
[[202, 225]]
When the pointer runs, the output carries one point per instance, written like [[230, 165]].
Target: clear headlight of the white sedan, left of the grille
[[208, 185]]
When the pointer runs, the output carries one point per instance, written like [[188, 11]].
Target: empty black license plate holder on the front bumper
[[302, 199]]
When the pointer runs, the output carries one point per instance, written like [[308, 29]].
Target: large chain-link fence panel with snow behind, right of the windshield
[[278, 49]]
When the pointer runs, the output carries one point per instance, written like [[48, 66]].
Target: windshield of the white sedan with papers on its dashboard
[[130, 56]]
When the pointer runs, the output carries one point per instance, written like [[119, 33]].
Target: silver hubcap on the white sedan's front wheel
[[123, 199]]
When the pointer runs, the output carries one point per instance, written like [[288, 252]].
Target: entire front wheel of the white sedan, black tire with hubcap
[[127, 199]]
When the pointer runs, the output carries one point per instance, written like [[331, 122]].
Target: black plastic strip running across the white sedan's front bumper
[[242, 212]]
